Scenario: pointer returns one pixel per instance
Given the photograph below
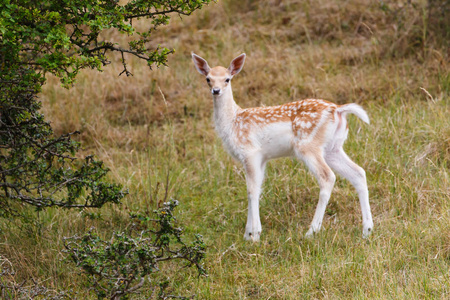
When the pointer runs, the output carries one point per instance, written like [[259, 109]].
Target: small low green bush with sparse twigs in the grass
[[128, 261]]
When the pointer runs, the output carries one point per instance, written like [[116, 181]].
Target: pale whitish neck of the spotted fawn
[[225, 110]]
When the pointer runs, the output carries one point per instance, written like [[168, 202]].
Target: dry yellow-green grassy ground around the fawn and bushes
[[389, 61]]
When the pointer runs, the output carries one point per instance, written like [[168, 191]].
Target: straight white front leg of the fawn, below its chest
[[254, 168]]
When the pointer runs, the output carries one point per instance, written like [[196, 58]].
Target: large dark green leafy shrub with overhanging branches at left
[[62, 38]]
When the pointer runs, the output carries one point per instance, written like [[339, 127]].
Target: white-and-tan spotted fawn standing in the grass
[[311, 130]]
